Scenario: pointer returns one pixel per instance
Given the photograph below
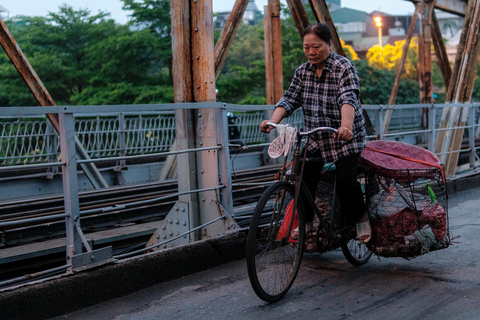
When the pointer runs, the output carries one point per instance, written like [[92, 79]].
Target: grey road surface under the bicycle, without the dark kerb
[[444, 284]]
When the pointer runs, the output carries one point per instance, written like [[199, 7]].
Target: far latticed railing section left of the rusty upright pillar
[[33, 139]]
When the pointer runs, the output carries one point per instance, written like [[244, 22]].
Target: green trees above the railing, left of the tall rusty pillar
[[87, 59]]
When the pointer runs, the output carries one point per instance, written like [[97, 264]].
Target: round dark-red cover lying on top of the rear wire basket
[[391, 158]]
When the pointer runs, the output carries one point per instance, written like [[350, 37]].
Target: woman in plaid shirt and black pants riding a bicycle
[[328, 90]]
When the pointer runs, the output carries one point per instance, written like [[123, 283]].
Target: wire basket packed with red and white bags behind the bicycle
[[408, 218]]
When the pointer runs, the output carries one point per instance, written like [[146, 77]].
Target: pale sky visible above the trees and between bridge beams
[[114, 7]]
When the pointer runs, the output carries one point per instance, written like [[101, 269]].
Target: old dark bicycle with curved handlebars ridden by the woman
[[273, 256]]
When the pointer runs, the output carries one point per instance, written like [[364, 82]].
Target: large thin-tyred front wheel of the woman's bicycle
[[273, 256]]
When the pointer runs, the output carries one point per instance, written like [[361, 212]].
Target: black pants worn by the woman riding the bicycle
[[349, 192]]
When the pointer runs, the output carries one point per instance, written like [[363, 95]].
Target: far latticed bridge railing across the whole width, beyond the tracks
[[32, 139]]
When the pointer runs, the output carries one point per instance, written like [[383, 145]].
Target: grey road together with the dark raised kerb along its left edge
[[212, 283]]
